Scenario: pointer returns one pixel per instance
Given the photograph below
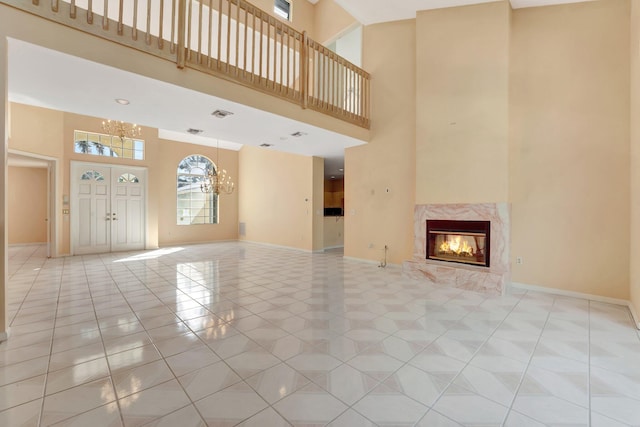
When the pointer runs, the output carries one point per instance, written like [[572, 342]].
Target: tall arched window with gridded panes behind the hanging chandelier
[[195, 206]]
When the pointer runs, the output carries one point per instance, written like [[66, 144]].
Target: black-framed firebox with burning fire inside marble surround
[[466, 242]]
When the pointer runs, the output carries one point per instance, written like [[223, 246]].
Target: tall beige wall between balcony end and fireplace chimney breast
[[374, 216]]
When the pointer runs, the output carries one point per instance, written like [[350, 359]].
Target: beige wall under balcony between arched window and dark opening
[[277, 198]]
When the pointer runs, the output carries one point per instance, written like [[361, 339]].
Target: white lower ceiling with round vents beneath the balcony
[[50, 79]]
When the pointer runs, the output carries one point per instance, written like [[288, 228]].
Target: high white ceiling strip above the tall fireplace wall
[[375, 11]]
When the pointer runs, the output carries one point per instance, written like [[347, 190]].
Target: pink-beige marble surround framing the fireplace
[[493, 279]]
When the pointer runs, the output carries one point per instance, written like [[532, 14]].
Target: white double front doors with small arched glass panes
[[107, 210]]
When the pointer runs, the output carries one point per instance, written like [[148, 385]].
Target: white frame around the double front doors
[[73, 184]]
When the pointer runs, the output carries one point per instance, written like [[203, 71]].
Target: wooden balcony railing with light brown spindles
[[231, 39]]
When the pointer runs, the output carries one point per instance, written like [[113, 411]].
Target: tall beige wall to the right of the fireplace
[[569, 168]]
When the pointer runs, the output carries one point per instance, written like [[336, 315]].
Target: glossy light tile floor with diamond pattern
[[241, 334]]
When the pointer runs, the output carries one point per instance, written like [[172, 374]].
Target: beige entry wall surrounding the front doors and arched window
[[161, 160]]
